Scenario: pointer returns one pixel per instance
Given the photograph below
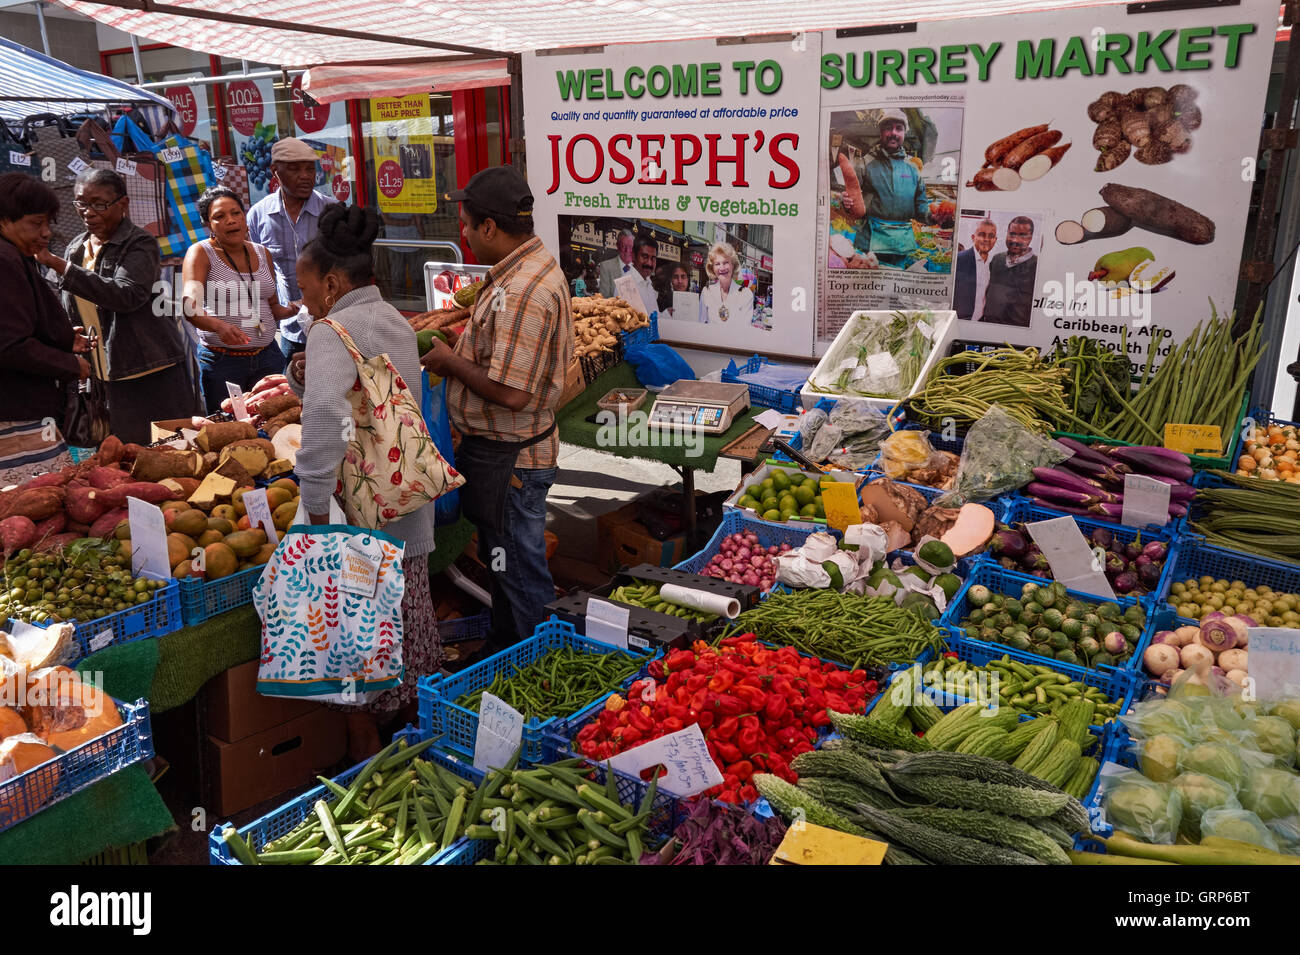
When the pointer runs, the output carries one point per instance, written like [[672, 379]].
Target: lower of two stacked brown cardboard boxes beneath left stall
[[266, 765]]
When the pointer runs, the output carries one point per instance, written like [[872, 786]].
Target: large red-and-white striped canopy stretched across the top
[[293, 33]]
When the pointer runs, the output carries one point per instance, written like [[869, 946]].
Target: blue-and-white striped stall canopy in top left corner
[[32, 83]]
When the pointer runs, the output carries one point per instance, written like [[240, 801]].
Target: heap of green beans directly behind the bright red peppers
[[850, 630]]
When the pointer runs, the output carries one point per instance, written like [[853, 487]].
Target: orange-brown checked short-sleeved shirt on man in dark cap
[[522, 332]]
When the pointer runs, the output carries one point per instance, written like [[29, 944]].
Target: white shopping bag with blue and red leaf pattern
[[324, 635]]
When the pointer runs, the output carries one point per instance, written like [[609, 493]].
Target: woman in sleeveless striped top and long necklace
[[231, 299]]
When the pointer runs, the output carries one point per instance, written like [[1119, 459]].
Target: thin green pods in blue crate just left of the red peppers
[[558, 684]]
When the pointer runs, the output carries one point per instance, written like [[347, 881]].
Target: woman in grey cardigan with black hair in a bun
[[336, 277]]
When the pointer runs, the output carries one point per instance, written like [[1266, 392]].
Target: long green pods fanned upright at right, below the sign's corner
[[1199, 384]]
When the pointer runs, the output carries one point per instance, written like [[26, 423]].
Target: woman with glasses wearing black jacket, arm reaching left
[[109, 279]]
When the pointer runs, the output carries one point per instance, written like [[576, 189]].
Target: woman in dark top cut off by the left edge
[[40, 351]]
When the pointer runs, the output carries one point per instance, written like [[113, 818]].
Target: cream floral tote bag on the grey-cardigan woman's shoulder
[[392, 467]]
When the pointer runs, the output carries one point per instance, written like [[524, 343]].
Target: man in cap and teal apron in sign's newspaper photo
[[891, 196]]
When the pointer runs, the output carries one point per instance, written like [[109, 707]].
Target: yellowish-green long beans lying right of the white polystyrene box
[[1016, 380]]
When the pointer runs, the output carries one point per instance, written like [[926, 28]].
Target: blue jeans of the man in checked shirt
[[522, 583]]
